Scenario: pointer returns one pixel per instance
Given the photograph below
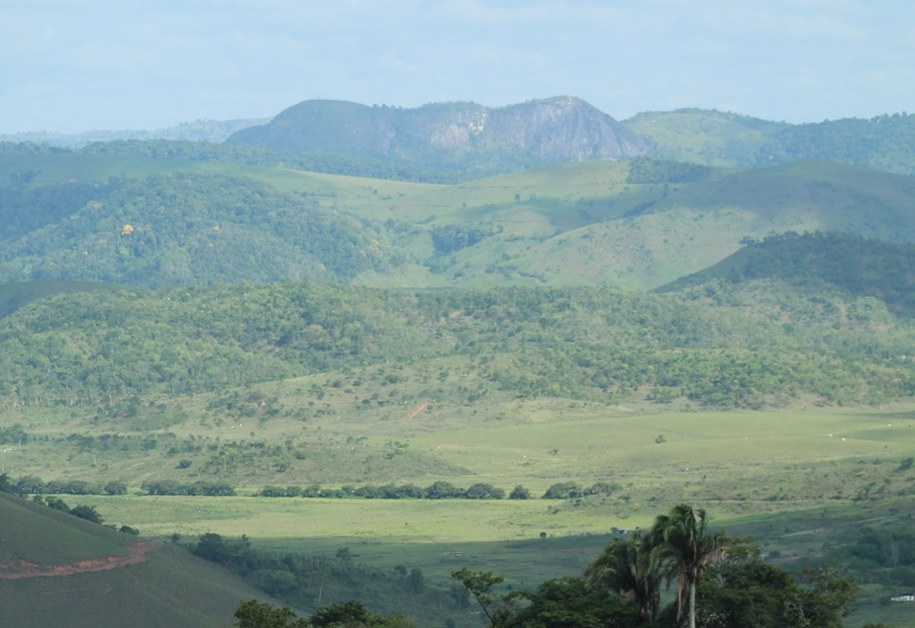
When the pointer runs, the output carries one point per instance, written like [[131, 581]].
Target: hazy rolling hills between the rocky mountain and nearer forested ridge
[[637, 224]]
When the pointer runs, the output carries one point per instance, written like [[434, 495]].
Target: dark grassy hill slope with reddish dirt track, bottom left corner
[[58, 570]]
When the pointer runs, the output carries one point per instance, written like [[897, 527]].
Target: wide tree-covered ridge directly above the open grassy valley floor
[[783, 346]]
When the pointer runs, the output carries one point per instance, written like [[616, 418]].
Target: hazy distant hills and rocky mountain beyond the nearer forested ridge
[[549, 192]]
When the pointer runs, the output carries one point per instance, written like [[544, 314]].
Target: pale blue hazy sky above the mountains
[[78, 65]]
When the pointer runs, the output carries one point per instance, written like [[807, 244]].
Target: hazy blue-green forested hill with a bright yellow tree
[[188, 229]]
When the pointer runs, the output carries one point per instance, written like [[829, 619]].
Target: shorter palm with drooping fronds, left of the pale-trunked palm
[[627, 567]]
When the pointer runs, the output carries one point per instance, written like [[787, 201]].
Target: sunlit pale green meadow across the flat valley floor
[[736, 464]]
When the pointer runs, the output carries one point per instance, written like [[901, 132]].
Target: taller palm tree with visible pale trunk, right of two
[[684, 547]]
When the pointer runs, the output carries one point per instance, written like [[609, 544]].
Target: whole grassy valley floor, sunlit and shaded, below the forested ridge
[[797, 480]]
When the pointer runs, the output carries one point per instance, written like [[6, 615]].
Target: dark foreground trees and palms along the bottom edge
[[720, 581]]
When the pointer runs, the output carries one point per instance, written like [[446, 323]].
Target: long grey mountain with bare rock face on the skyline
[[541, 131]]
